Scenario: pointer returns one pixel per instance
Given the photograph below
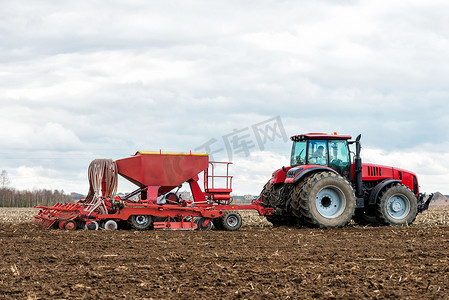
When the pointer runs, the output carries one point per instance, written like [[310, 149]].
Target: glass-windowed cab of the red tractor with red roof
[[322, 149]]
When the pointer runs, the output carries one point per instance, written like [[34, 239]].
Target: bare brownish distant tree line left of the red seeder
[[13, 198]]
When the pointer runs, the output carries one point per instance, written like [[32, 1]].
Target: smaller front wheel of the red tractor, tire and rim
[[397, 205]]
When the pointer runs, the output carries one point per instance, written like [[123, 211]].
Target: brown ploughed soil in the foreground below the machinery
[[254, 262]]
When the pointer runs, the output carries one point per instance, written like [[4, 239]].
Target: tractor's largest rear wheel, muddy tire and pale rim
[[327, 200]]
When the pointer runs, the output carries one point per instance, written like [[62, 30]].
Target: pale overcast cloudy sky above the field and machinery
[[81, 80]]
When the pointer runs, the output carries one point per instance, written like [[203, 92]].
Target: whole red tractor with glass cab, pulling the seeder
[[324, 187]]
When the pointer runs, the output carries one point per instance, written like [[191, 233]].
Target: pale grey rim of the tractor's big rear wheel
[[330, 202]]
